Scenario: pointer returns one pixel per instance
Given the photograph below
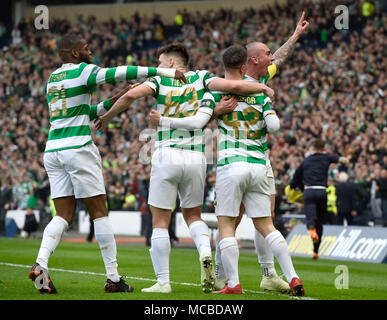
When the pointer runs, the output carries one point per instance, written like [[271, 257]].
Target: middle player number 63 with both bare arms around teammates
[[178, 164]]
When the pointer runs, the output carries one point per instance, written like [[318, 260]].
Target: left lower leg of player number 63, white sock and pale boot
[[160, 250]]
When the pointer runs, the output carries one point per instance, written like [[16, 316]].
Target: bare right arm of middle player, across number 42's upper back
[[240, 87]]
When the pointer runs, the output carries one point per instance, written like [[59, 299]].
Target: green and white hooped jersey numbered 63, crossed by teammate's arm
[[176, 99]]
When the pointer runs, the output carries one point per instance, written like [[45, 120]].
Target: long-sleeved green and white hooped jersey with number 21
[[69, 90]]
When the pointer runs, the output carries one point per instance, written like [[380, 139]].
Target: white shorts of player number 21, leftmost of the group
[[75, 172]]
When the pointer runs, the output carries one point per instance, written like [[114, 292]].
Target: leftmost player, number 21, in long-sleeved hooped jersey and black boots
[[71, 159]]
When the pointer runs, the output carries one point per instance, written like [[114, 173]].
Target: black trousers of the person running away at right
[[315, 208]]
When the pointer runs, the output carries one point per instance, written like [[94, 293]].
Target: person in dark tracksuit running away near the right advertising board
[[312, 177]]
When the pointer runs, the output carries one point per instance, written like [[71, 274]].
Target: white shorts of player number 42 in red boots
[[242, 182]]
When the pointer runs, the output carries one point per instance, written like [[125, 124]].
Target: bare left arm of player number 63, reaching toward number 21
[[122, 104]]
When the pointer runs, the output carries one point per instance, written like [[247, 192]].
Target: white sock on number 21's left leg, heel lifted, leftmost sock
[[51, 238]]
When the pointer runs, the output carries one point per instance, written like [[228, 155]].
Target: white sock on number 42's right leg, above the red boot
[[279, 247]]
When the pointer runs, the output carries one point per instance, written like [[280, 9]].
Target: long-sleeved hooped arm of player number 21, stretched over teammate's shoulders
[[99, 75]]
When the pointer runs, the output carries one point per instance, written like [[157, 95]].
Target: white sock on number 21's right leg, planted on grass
[[105, 238]]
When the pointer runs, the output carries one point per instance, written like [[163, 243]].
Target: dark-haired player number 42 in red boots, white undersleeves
[[242, 172]]
